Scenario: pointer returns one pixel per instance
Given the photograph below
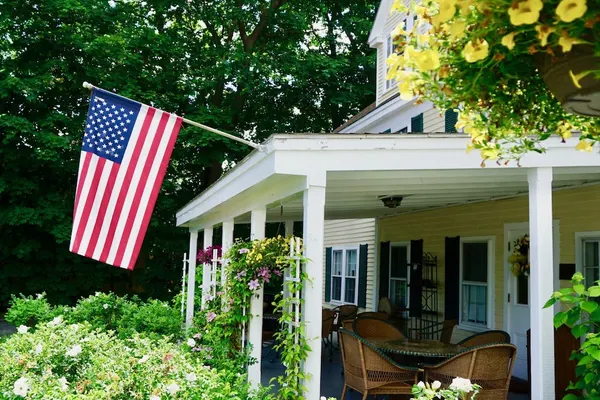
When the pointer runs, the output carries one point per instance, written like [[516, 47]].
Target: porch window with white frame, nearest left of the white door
[[476, 271]]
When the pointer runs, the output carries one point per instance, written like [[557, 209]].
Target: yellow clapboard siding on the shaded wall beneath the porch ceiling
[[576, 210]]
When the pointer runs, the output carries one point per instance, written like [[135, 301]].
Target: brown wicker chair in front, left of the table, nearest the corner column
[[369, 371]]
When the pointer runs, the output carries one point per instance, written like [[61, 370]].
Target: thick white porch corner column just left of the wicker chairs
[[314, 216]]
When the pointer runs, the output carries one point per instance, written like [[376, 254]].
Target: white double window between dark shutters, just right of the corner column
[[344, 275]]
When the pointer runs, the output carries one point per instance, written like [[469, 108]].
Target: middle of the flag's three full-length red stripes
[[139, 190]]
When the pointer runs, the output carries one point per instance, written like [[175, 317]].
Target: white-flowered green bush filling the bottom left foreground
[[62, 361]]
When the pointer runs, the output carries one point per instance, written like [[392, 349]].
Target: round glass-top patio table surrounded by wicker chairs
[[417, 347]]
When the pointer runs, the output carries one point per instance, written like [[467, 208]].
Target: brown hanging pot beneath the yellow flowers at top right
[[580, 94]]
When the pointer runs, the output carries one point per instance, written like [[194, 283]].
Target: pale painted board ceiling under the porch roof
[[356, 194]]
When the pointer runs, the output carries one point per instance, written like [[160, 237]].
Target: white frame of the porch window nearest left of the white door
[[470, 326]]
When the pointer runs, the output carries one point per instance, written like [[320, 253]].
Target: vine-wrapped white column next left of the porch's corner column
[[258, 219]]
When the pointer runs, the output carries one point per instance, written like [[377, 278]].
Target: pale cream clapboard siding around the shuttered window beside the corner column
[[353, 232]]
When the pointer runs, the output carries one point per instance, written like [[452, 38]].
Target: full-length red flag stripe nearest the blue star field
[[126, 183]]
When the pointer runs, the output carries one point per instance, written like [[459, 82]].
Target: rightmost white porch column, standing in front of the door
[[541, 282]]
